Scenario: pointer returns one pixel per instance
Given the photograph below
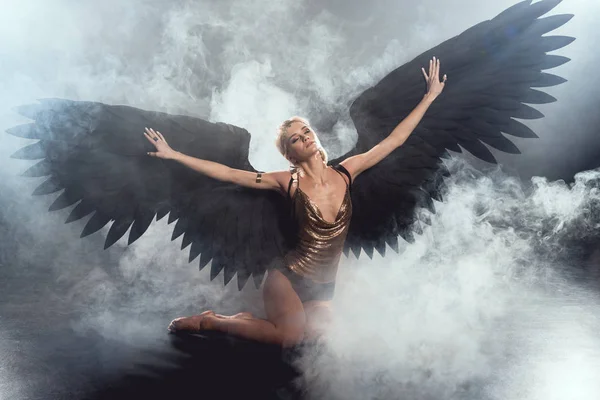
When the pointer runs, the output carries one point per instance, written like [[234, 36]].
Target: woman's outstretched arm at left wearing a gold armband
[[268, 180]]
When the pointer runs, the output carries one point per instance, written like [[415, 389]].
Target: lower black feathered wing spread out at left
[[97, 154]]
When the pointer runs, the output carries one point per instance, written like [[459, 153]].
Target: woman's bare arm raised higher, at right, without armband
[[361, 162]]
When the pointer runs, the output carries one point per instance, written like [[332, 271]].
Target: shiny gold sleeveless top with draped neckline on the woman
[[319, 243]]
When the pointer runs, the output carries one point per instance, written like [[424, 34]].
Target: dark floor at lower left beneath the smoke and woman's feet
[[45, 359]]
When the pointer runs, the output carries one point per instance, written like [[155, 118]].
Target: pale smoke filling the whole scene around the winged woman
[[479, 305]]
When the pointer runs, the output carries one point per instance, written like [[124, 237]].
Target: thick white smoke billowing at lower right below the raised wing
[[477, 308]]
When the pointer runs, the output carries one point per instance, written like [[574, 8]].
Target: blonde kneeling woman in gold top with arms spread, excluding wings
[[297, 296]]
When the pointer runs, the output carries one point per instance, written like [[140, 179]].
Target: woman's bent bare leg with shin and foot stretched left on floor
[[284, 325]]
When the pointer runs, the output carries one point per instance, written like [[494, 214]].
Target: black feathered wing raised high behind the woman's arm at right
[[492, 68]]
